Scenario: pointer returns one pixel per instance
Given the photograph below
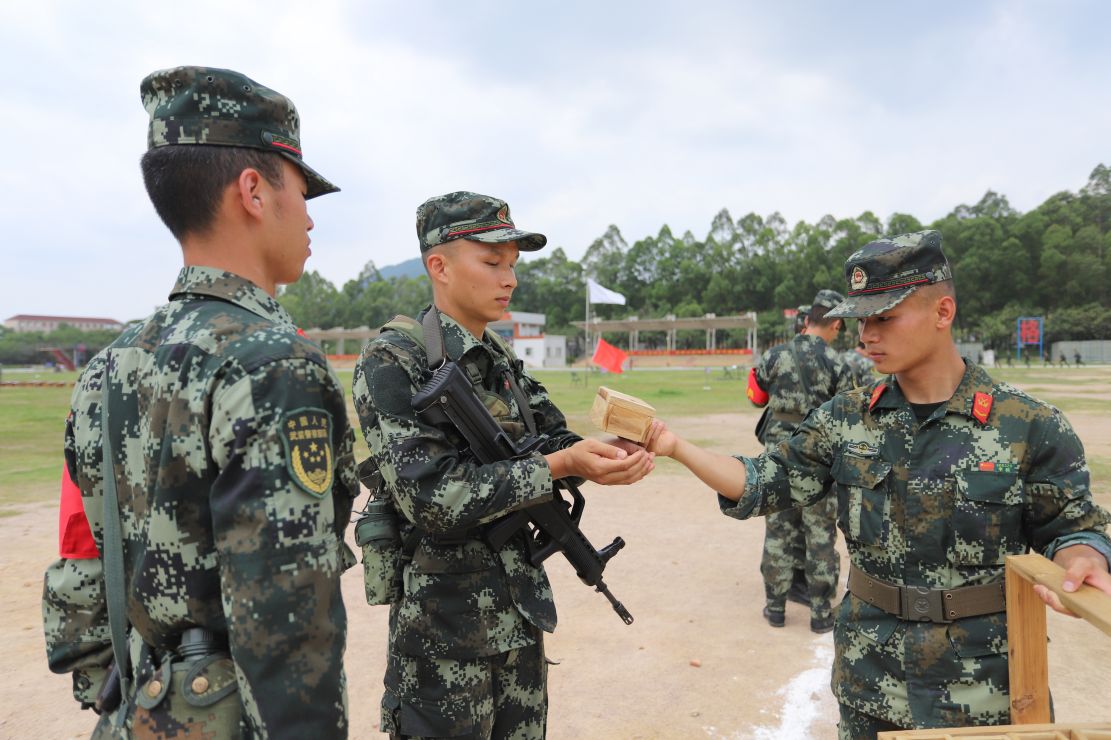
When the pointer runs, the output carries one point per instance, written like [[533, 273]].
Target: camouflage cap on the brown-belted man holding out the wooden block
[[886, 272]]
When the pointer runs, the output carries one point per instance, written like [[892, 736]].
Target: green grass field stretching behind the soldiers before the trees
[[33, 419]]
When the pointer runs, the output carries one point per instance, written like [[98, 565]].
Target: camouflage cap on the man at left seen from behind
[[222, 108]]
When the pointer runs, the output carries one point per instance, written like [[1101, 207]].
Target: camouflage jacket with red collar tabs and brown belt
[[937, 505]]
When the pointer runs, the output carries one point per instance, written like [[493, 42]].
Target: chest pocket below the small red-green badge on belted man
[[987, 522]]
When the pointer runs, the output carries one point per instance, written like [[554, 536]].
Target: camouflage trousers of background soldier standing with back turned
[[813, 532]]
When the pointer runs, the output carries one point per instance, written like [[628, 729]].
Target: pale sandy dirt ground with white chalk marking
[[699, 662]]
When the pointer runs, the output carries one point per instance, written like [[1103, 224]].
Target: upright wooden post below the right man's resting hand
[[1028, 649]]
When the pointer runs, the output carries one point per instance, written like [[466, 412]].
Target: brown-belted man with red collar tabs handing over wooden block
[[939, 473]]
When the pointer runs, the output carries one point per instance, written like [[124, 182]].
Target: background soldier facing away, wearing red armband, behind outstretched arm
[[792, 379]]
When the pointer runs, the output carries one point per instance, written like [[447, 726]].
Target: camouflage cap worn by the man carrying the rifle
[[464, 215]]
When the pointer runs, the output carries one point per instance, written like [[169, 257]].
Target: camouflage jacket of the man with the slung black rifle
[[461, 601]]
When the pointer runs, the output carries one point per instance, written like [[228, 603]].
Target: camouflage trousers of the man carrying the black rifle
[[504, 696]]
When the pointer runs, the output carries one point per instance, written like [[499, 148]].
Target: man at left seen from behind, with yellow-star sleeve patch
[[232, 454]]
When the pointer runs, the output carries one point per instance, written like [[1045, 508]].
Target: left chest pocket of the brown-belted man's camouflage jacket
[[863, 498]]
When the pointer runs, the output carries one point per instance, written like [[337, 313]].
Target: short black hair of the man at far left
[[186, 183]]
